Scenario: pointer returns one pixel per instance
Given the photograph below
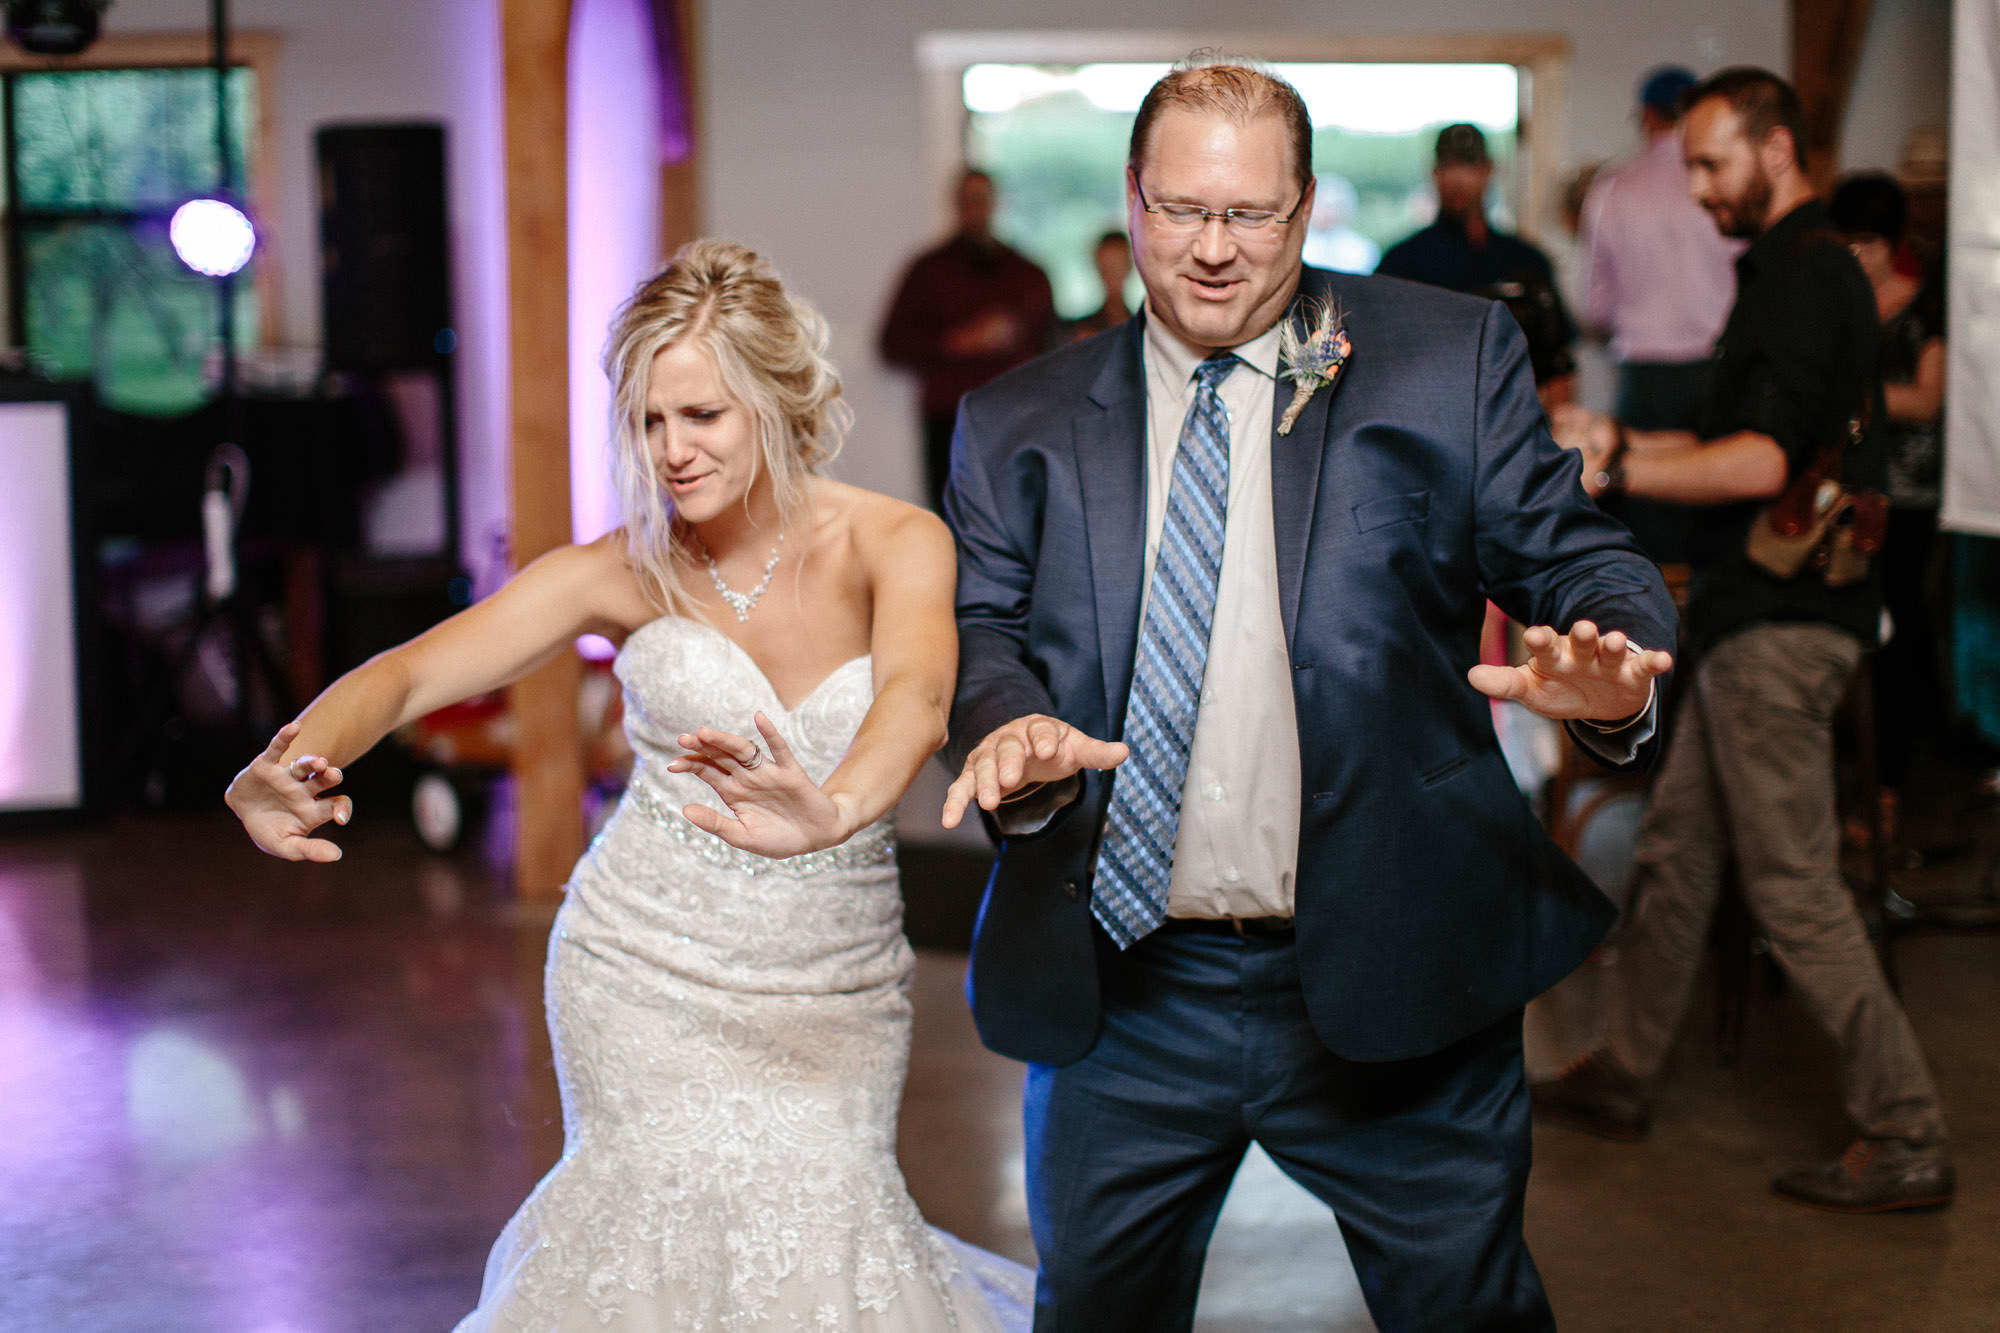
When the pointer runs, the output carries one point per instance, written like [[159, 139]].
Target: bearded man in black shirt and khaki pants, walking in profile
[[1751, 766]]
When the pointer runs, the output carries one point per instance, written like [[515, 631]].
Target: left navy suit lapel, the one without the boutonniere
[[1111, 465]]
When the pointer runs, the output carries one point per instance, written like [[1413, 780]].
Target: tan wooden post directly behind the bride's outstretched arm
[[549, 768]]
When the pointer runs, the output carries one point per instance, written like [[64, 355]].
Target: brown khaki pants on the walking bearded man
[[1751, 774]]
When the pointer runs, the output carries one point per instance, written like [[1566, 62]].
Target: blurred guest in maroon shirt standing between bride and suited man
[[965, 313]]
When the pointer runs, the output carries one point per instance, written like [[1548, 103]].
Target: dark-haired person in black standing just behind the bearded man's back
[[1871, 211]]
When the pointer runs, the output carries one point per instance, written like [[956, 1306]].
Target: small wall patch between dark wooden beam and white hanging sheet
[[1903, 81]]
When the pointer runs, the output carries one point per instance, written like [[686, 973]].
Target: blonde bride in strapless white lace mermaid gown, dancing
[[727, 976]]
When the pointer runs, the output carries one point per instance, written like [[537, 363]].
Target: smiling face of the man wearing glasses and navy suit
[[1219, 285]]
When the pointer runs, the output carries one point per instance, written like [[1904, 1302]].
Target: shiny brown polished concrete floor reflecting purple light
[[251, 1098]]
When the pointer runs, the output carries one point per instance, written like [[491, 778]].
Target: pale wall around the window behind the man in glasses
[[813, 137]]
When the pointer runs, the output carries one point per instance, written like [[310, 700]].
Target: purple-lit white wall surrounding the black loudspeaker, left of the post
[[391, 61]]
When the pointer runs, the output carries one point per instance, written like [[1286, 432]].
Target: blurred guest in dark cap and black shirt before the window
[[1465, 253]]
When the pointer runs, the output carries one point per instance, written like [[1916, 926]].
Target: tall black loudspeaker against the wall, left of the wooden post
[[385, 259]]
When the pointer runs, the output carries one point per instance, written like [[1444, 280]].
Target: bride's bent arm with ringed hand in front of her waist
[[915, 647]]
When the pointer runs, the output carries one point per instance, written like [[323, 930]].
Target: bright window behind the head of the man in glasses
[[1055, 141]]
